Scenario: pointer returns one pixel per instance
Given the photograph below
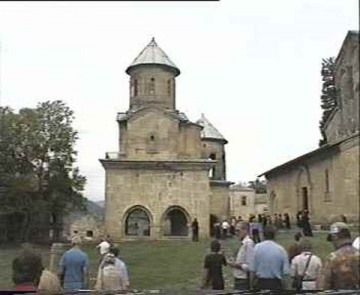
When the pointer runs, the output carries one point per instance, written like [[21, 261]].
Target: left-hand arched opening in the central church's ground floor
[[137, 222]]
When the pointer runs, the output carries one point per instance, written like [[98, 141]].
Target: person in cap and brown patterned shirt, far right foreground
[[341, 269]]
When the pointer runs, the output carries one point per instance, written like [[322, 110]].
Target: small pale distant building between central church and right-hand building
[[244, 201]]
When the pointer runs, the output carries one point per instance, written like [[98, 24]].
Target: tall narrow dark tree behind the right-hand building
[[328, 94]]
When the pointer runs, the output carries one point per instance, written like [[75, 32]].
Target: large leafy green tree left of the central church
[[37, 157]]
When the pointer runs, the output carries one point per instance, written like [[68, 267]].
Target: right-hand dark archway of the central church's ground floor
[[175, 222]]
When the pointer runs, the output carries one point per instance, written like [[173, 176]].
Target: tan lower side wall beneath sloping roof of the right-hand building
[[327, 199]]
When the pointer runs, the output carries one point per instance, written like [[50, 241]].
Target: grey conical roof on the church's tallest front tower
[[153, 54]]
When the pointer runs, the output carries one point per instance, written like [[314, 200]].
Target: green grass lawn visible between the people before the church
[[175, 265]]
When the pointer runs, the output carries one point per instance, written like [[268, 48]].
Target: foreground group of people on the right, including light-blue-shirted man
[[266, 265]]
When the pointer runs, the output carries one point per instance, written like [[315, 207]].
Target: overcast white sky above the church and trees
[[251, 66]]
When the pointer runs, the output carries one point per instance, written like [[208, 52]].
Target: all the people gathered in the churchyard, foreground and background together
[[260, 263]]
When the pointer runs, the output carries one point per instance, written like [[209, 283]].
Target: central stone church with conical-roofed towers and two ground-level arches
[[168, 170]]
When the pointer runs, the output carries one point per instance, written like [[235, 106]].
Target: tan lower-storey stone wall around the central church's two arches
[[156, 191]]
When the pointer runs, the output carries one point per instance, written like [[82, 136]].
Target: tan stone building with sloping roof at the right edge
[[326, 180]]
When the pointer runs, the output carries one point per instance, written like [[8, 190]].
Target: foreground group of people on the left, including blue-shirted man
[[29, 274]]
